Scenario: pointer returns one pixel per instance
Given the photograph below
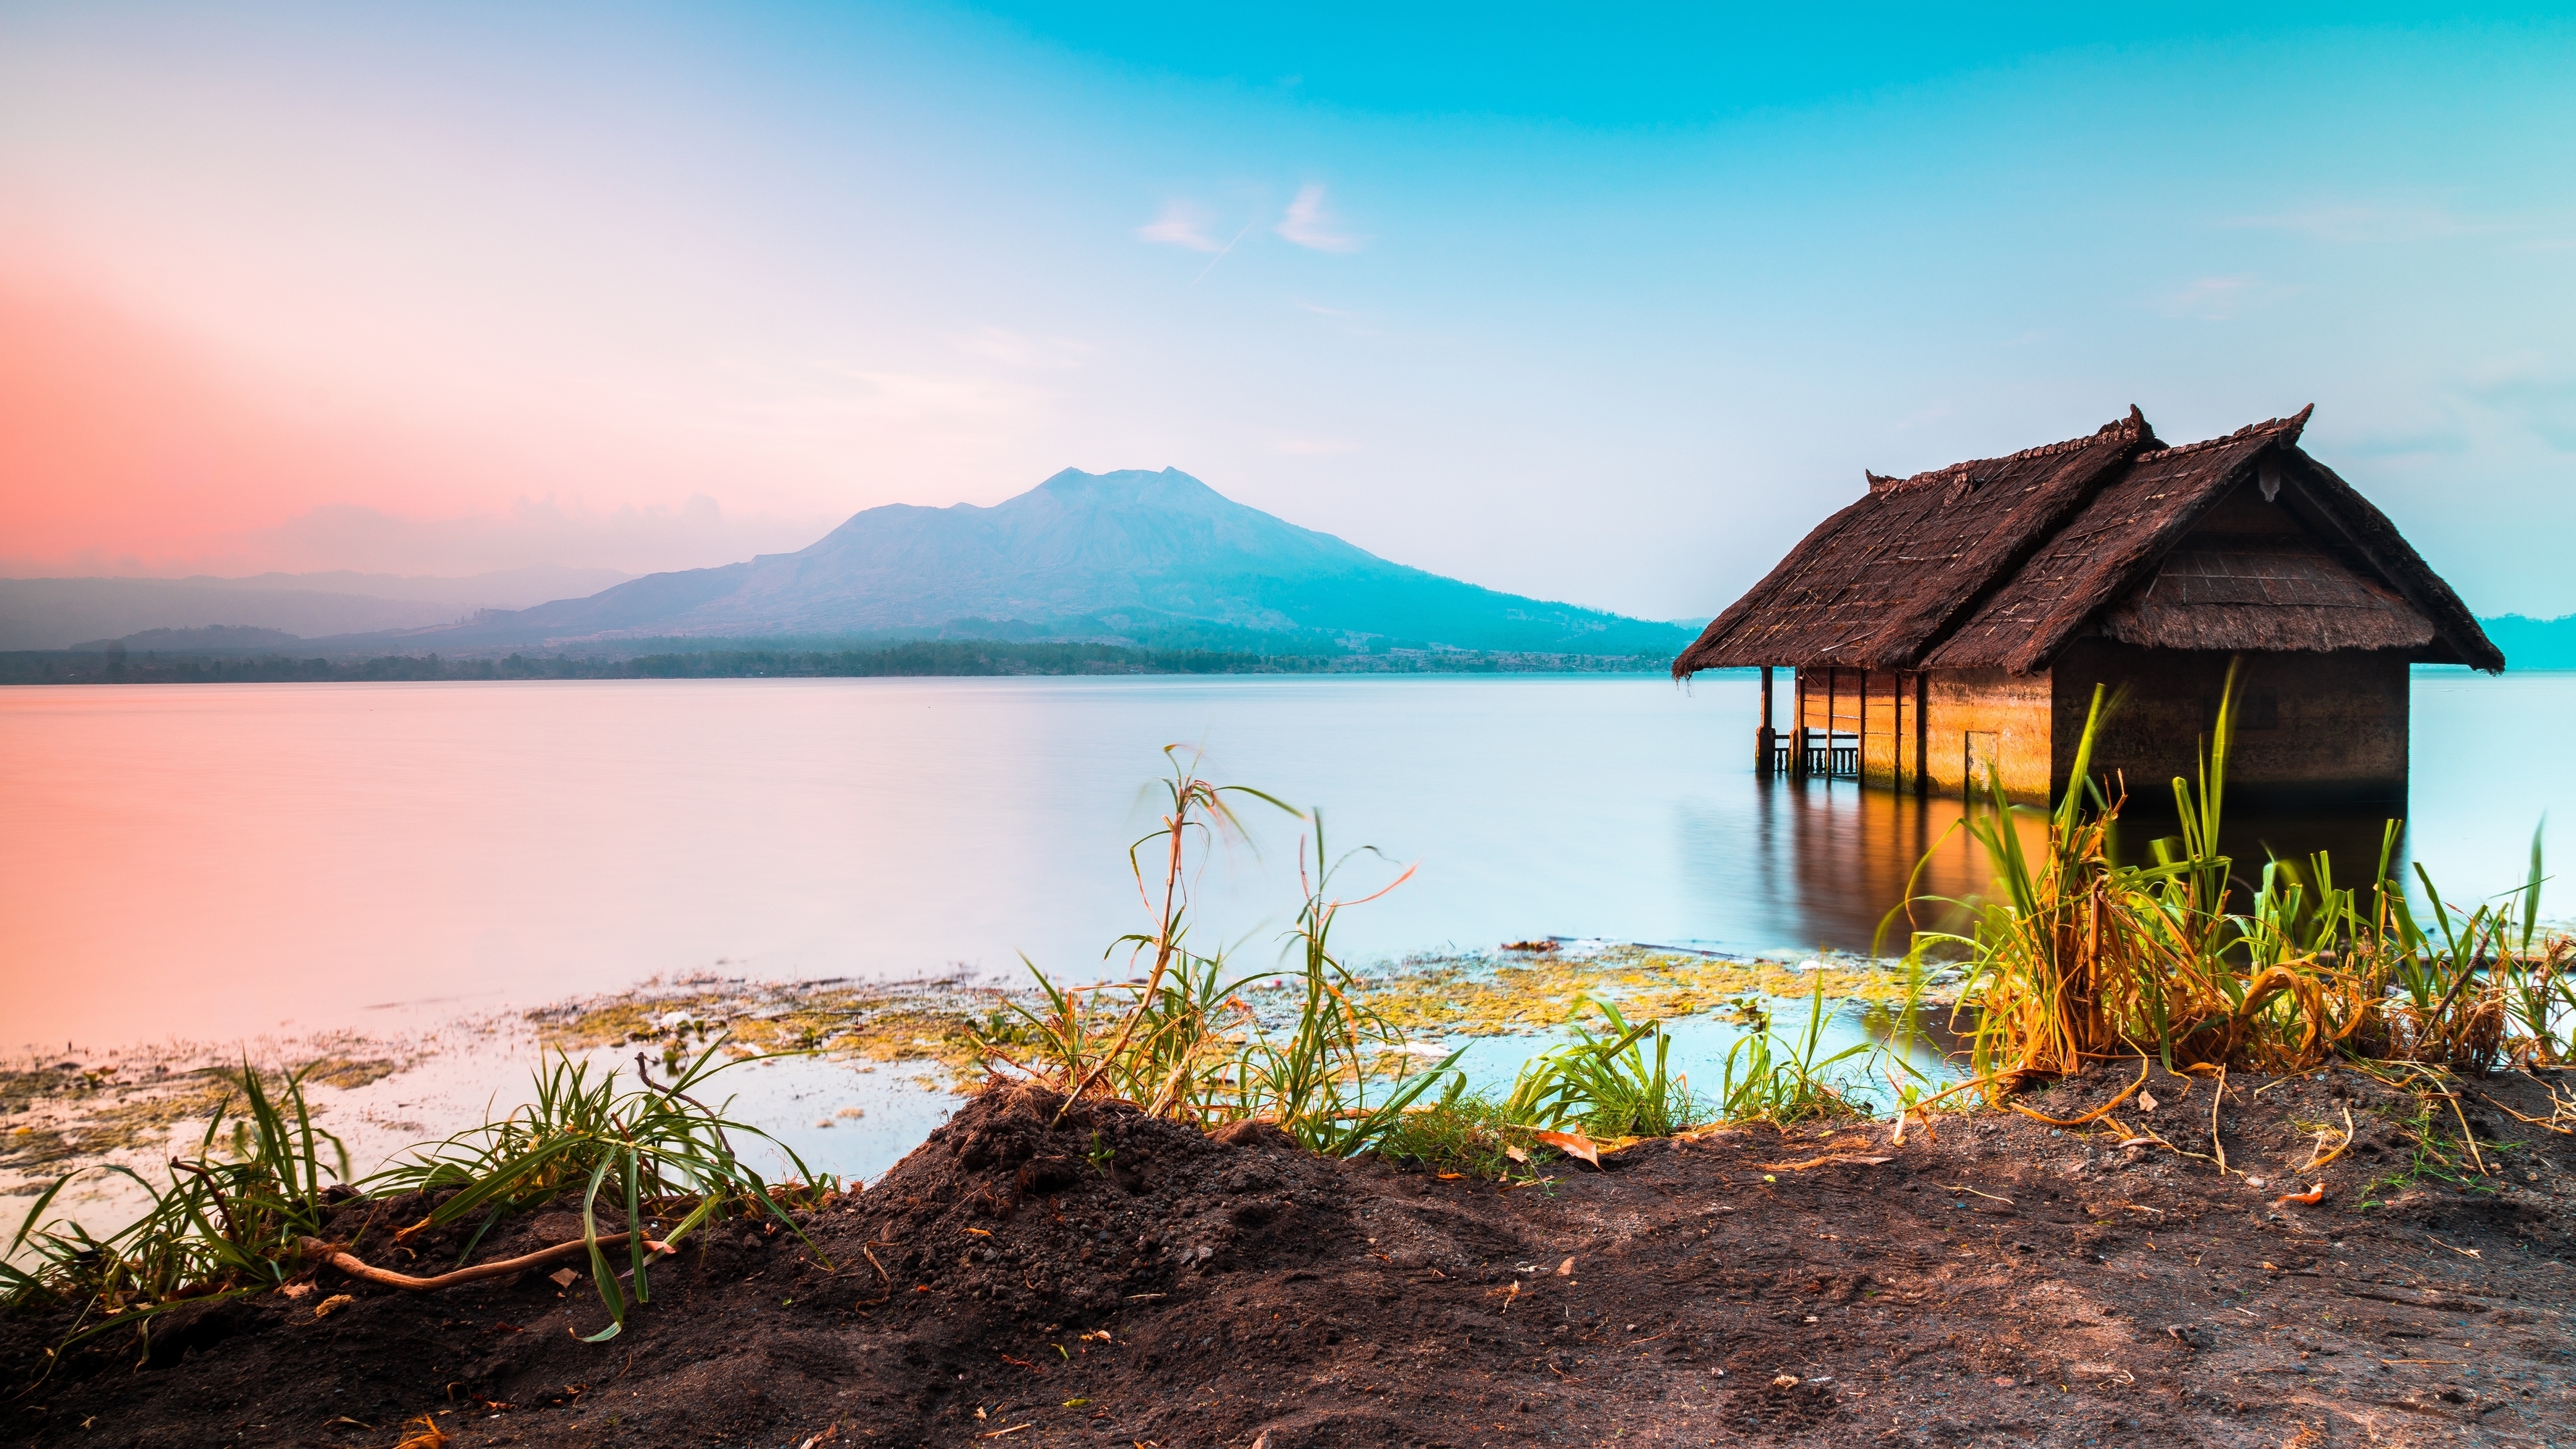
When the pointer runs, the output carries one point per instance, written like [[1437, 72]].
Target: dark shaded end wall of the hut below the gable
[[2317, 728]]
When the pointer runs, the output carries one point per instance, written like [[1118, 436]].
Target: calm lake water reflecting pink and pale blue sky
[[231, 862]]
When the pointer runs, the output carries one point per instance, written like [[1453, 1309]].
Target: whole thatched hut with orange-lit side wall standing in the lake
[[1956, 623]]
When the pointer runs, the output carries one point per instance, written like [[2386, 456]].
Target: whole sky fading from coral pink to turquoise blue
[[1598, 311]]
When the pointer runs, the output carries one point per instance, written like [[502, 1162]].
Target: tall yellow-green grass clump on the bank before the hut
[[2080, 958]]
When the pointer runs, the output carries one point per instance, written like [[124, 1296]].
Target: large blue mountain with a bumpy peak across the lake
[[1132, 556]]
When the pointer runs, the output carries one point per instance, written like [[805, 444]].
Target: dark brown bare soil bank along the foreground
[[1114, 1280]]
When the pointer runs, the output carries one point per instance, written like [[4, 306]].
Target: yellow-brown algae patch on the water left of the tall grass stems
[[923, 1022]]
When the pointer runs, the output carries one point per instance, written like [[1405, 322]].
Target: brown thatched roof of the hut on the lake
[[2008, 561]]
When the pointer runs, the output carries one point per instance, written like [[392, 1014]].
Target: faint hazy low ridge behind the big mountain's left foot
[[61, 612]]
